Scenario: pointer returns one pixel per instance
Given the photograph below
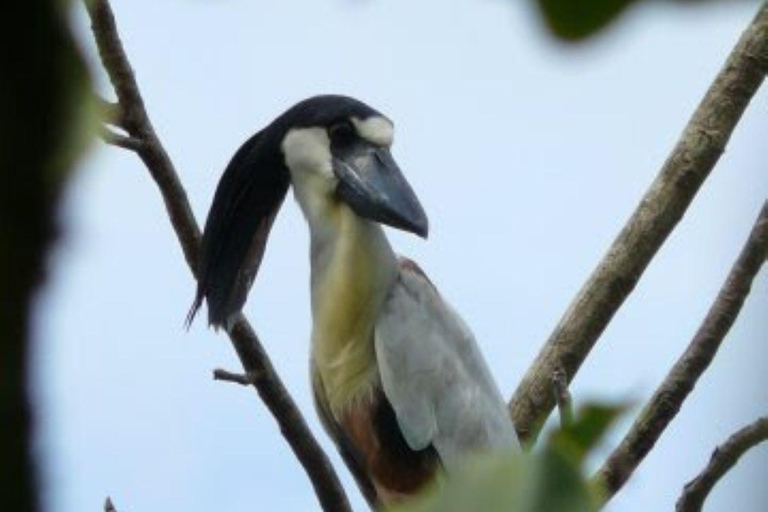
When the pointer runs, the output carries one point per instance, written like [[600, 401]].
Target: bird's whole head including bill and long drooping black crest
[[331, 149]]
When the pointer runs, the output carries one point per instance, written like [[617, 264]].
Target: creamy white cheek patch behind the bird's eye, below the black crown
[[308, 150]]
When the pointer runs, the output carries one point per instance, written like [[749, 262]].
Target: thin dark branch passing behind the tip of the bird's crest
[[252, 355]]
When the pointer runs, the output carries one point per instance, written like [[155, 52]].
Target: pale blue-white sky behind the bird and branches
[[528, 157]]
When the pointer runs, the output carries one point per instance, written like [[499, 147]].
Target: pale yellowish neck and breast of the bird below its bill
[[353, 269]]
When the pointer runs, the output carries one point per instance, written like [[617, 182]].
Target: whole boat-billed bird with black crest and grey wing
[[398, 379]]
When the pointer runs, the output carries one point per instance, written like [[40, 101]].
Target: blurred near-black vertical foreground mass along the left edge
[[44, 128]]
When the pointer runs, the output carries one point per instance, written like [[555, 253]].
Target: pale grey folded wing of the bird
[[433, 374]]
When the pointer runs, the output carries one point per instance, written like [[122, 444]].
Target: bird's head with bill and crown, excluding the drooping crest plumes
[[340, 147]]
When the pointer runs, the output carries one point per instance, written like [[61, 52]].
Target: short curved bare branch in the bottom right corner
[[723, 459]]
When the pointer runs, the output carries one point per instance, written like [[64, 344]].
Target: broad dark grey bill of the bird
[[371, 183]]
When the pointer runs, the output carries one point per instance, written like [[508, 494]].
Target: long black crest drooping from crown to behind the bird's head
[[246, 202]]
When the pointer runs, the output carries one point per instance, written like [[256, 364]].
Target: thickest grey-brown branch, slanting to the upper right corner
[[659, 211]]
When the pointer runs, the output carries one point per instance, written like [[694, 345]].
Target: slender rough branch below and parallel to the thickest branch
[[679, 382]]
